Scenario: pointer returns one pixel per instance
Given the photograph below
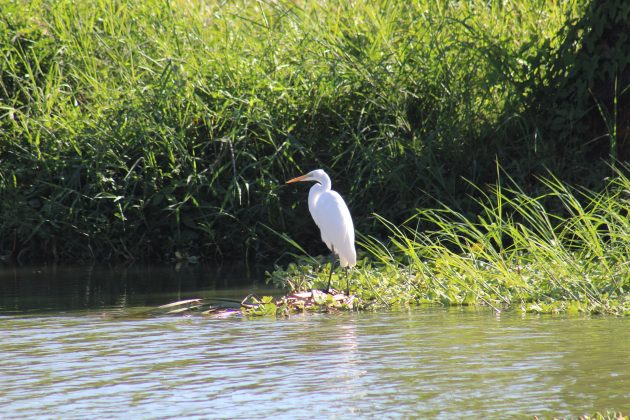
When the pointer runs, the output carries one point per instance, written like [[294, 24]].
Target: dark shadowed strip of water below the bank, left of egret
[[54, 289]]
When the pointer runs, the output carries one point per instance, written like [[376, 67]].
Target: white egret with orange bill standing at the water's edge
[[332, 216]]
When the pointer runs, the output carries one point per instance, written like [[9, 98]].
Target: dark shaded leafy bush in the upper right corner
[[582, 101]]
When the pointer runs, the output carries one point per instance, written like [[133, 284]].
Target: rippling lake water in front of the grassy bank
[[73, 345]]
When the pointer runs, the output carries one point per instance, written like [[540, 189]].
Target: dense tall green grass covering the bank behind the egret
[[162, 130]]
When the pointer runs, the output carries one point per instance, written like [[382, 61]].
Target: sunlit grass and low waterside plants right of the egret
[[564, 250]]
